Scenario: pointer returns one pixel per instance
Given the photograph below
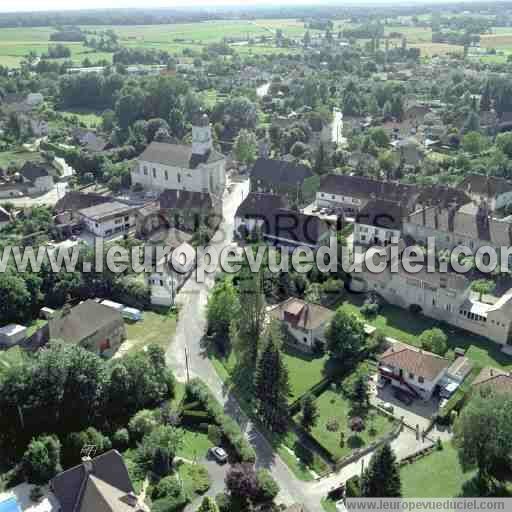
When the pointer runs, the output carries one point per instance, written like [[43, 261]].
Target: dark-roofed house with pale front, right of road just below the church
[[255, 210]]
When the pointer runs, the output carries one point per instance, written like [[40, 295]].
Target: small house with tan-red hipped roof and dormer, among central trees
[[304, 321]]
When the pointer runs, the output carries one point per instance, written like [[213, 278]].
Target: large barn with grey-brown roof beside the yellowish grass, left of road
[[91, 325]]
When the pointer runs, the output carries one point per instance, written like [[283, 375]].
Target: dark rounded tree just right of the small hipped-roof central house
[[345, 336]]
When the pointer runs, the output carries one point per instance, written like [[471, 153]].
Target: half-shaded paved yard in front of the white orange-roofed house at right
[[417, 413]]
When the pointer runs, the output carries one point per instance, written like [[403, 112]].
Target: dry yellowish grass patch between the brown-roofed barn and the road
[[155, 328]]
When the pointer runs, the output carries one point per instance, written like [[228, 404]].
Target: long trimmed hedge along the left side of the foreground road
[[196, 390]]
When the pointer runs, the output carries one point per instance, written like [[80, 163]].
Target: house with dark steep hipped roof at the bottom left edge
[[101, 484]]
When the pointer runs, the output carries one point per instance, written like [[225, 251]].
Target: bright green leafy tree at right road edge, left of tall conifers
[[223, 307]]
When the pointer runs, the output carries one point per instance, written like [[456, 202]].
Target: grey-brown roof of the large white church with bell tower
[[174, 155]]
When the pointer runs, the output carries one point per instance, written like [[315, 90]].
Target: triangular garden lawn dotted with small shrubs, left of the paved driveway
[[332, 406]]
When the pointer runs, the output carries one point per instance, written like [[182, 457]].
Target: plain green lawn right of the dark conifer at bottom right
[[438, 475]]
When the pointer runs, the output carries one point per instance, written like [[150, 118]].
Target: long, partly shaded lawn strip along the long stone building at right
[[405, 326]]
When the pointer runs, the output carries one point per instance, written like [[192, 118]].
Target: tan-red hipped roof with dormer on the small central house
[[302, 314]]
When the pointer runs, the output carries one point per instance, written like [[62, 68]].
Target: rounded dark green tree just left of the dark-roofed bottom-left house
[[41, 461]]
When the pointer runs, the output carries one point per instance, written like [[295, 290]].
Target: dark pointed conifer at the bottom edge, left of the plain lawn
[[382, 477]]
